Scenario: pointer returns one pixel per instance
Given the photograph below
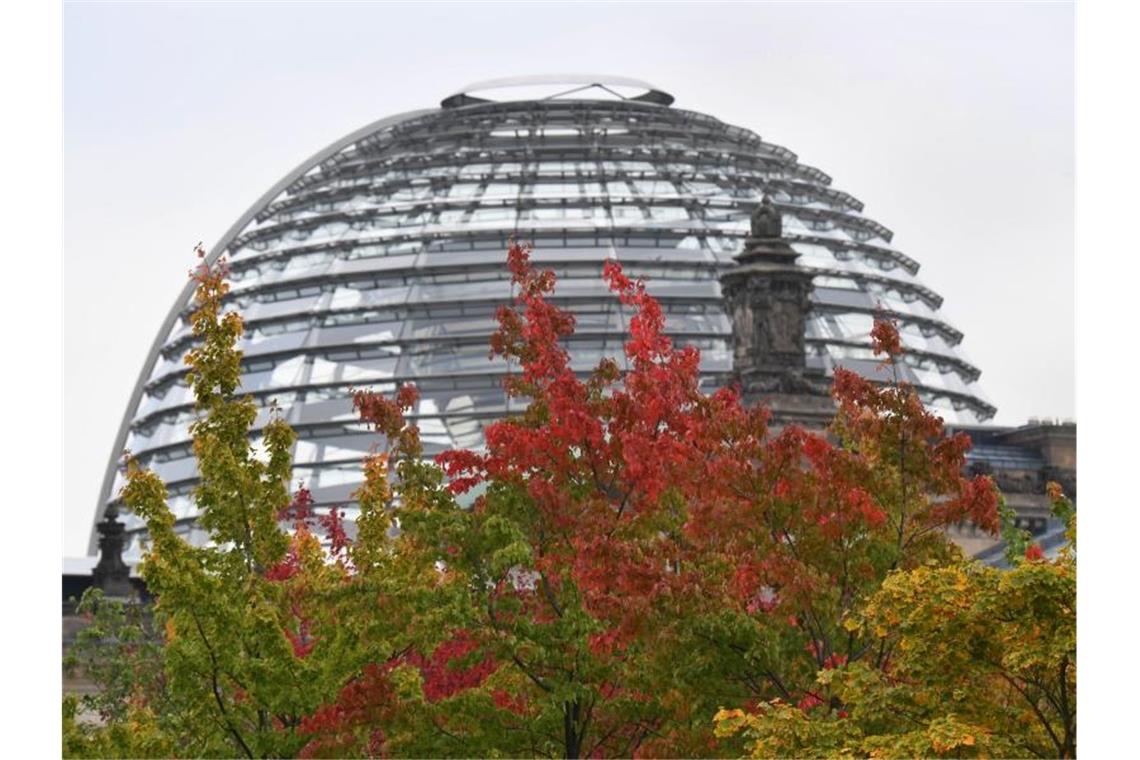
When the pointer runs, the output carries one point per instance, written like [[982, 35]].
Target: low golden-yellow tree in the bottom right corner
[[982, 663]]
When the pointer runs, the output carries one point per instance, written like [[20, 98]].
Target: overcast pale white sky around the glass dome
[[954, 124]]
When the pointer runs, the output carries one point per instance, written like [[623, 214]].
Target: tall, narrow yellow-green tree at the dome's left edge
[[237, 618]]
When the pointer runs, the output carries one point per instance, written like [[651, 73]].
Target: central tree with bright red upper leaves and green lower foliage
[[640, 552]]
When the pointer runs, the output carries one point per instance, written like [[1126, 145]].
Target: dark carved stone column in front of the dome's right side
[[768, 300]]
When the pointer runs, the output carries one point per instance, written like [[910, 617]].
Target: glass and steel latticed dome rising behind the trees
[[382, 259]]
